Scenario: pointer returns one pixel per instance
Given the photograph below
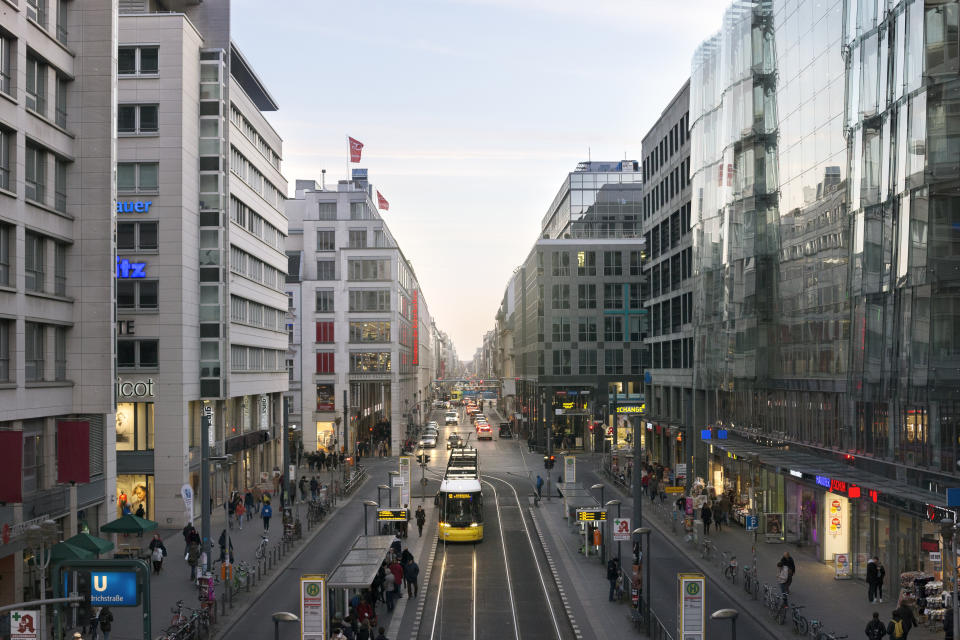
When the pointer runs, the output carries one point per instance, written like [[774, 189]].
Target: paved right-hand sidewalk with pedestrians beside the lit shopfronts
[[841, 605]]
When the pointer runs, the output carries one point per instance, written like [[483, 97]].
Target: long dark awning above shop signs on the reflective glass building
[[834, 476]]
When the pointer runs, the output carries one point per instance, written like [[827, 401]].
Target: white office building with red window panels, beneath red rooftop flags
[[365, 328]]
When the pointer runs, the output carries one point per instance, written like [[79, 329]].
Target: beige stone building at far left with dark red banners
[[57, 148]]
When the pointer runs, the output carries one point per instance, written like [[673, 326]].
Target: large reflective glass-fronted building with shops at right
[[823, 168]]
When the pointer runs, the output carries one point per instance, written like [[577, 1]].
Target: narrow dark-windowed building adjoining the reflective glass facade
[[669, 273]]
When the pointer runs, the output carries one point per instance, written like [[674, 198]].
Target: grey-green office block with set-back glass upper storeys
[[579, 319]]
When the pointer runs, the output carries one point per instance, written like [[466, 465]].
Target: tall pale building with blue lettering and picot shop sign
[[201, 228]]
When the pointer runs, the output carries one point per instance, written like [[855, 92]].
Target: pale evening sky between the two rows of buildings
[[471, 113]]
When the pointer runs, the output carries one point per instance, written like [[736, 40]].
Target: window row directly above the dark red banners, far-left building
[[45, 352]]
